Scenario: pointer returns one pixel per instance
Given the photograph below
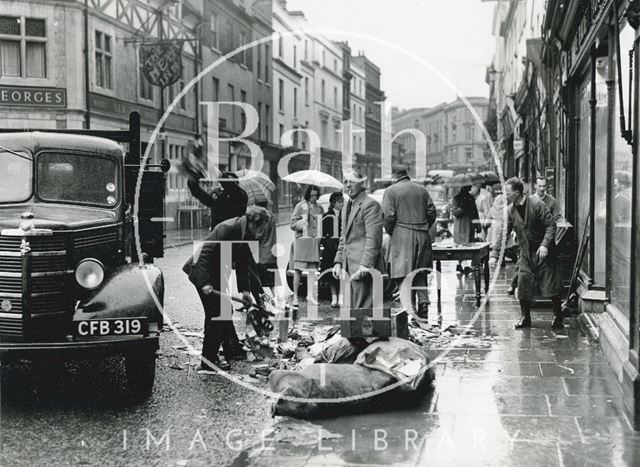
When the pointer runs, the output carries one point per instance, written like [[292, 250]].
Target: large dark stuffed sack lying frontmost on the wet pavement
[[327, 381]]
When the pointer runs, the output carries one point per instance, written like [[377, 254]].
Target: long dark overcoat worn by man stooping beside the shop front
[[538, 228]]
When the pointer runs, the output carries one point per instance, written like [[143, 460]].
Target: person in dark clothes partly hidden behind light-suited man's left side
[[331, 231]]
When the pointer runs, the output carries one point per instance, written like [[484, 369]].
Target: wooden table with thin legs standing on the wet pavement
[[477, 252]]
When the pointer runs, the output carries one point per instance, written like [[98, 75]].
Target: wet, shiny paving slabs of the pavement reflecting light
[[501, 397]]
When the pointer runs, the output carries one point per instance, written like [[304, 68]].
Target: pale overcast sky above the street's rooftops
[[452, 36]]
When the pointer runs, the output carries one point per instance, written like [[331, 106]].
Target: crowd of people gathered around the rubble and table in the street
[[345, 245]]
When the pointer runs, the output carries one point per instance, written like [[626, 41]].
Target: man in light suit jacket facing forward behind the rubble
[[360, 248]]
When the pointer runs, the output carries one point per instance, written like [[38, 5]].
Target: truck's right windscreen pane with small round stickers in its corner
[[77, 178]]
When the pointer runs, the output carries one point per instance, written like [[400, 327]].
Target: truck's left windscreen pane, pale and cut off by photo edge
[[16, 170]]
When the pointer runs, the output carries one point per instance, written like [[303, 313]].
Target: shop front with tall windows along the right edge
[[596, 173]]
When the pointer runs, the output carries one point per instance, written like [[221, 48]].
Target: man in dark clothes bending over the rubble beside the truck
[[205, 274]]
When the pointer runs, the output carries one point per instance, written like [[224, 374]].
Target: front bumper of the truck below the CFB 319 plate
[[77, 349]]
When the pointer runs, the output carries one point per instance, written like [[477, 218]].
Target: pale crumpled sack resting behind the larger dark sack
[[404, 360]]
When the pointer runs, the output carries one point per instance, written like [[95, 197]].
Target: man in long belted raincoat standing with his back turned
[[409, 213]]
